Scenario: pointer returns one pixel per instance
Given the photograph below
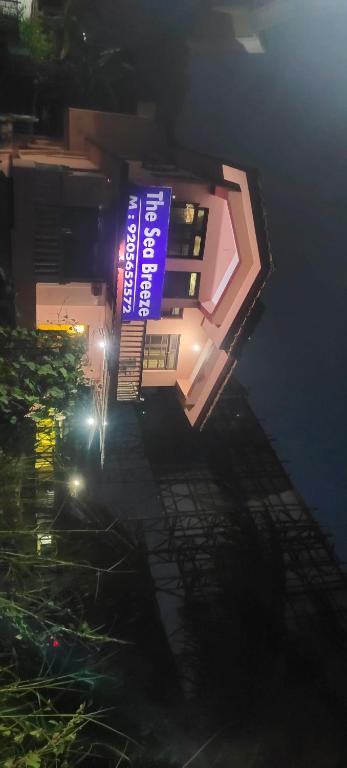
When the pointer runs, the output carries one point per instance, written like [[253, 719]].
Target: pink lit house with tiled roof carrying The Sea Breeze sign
[[71, 241]]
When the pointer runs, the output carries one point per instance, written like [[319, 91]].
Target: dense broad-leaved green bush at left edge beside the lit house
[[40, 373]]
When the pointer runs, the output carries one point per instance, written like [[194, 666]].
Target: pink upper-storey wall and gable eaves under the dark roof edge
[[229, 267]]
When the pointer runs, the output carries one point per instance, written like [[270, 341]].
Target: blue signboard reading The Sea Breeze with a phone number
[[145, 252]]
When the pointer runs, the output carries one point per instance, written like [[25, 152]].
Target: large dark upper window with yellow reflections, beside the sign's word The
[[187, 231]]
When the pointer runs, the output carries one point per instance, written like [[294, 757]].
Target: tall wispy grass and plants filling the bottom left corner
[[56, 638]]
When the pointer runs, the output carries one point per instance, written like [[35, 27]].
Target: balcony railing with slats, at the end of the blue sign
[[132, 342]]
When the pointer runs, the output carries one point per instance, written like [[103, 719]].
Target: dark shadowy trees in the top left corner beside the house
[[107, 55]]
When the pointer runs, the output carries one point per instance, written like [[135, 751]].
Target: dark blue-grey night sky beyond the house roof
[[286, 113]]
